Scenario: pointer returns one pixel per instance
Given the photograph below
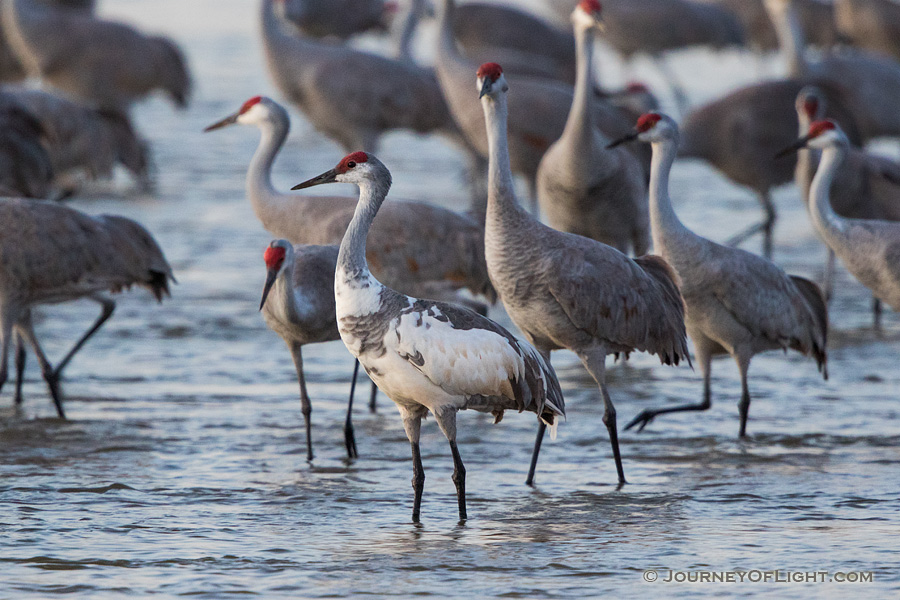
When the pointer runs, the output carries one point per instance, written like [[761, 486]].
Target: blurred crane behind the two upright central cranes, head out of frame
[[538, 109]]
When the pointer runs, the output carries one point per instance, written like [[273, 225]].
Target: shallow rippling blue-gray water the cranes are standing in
[[182, 471]]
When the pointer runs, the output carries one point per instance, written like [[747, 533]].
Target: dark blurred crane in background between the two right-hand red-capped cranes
[[739, 133]]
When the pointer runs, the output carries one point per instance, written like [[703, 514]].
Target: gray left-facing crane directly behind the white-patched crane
[[414, 246]]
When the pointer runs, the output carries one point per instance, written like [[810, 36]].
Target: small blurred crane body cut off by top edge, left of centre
[[337, 18]]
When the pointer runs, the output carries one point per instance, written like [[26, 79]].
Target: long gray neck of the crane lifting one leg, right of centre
[[666, 226]]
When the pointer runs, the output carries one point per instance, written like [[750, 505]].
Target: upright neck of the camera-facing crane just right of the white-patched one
[[503, 208]]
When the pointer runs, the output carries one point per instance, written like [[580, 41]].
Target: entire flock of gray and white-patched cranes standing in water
[[407, 285]]
